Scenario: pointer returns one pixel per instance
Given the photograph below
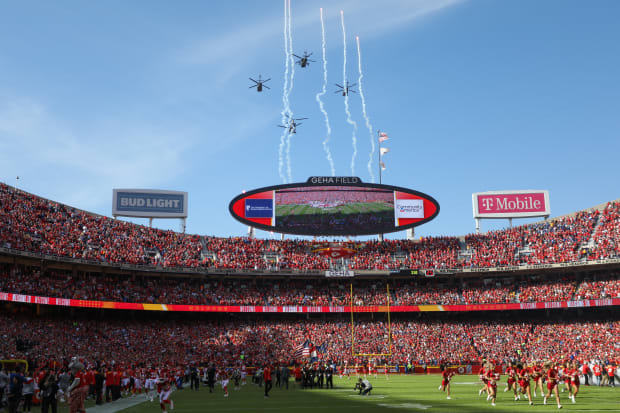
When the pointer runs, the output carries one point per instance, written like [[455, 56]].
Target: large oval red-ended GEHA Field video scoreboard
[[317, 209]]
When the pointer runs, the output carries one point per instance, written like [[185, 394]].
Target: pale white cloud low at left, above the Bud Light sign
[[84, 164]]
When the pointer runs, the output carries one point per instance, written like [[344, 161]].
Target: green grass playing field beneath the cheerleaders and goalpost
[[398, 394]]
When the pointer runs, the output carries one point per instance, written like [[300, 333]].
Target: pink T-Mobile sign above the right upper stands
[[511, 204]]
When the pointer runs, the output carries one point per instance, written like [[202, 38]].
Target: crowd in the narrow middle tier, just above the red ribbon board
[[109, 287]]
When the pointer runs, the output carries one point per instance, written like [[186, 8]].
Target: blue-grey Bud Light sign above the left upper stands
[[150, 204]]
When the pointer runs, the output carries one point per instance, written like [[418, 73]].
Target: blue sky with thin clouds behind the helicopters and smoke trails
[[475, 96]]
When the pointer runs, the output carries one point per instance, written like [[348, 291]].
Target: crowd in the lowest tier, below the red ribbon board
[[182, 342]]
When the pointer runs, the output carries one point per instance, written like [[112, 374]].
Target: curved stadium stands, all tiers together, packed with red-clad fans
[[75, 283]]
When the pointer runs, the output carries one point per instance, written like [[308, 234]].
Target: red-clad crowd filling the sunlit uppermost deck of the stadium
[[32, 223]]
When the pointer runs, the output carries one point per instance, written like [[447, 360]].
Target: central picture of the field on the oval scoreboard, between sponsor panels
[[335, 210]]
